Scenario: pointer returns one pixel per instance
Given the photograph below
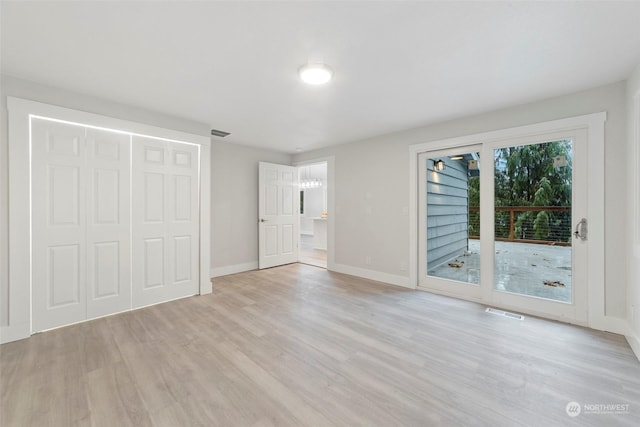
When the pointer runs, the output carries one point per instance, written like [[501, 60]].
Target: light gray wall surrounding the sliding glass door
[[372, 178]]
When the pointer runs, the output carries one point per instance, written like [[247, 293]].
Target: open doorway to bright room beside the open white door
[[313, 192]]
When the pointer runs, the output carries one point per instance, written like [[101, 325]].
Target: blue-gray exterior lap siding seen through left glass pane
[[447, 212]]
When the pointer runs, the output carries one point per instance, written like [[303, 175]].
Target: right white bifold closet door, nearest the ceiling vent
[[165, 220]]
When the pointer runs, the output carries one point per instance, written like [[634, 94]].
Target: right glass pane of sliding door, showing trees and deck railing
[[532, 222]]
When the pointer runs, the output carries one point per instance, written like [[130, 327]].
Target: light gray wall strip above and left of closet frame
[[10, 86]]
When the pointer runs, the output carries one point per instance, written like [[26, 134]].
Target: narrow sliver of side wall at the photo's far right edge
[[633, 222]]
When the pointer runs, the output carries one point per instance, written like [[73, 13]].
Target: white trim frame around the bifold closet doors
[[18, 318]]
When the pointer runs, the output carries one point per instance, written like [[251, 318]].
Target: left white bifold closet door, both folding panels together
[[80, 204]]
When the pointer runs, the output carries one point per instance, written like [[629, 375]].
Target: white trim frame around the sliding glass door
[[594, 126]]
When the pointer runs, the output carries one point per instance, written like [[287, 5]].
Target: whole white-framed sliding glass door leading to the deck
[[512, 218]]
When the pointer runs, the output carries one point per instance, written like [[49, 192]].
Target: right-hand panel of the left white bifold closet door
[[108, 222]]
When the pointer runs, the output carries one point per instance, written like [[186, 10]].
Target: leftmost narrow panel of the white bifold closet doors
[[59, 229]]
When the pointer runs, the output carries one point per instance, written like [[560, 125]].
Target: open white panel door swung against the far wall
[[278, 208]]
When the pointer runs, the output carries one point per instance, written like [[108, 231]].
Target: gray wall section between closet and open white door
[[234, 205]]
